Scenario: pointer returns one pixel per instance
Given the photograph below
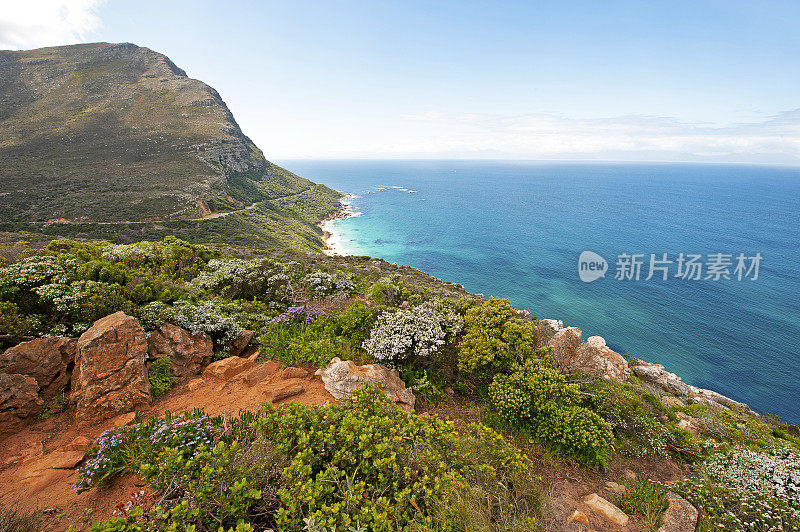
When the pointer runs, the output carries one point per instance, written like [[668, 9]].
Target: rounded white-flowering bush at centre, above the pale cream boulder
[[419, 331]]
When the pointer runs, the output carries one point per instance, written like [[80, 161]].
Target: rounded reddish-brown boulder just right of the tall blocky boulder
[[188, 353]]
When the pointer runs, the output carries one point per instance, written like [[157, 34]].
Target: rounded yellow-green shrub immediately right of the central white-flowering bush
[[494, 338]]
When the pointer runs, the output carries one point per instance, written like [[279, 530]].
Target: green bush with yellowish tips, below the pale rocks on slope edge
[[538, 398]]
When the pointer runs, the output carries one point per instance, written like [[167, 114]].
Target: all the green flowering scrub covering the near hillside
[[365, 465]]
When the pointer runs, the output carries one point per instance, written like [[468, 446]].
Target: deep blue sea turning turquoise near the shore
[[516, 230]]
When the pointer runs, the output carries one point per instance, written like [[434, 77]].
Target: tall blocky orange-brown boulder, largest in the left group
[[110, 375]]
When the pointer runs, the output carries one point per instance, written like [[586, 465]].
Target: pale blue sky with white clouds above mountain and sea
[[642, 80]]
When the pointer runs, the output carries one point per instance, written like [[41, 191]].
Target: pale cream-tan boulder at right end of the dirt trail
[[343, 377]]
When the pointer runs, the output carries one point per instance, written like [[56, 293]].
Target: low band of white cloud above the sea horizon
[[633, 137]]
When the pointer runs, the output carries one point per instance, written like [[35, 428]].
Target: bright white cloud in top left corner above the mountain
[[28, 24]]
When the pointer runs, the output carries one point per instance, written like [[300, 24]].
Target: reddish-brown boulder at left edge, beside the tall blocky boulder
[[48, 360]]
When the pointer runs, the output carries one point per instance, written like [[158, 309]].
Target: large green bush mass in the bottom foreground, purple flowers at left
[[363, 463]]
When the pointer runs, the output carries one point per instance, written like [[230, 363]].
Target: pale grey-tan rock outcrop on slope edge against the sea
[[593, 357]]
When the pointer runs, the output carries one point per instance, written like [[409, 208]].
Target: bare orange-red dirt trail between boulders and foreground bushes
[[37, 465]]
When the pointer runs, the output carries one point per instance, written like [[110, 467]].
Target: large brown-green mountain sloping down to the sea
[[115, 140]]
